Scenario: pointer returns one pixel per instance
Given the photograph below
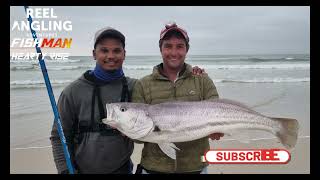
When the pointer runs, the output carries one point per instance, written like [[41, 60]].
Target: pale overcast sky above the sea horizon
[[212, 30]]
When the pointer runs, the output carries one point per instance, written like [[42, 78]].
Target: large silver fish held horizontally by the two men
[[181, 121]]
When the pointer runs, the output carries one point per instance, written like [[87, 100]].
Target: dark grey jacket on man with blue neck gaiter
[[91, 150]]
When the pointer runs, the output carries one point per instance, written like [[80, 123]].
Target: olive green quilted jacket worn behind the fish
[[156, 88]]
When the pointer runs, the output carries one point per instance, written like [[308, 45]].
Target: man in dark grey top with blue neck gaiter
[[95, 147]]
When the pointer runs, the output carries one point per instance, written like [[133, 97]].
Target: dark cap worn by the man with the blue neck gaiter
[[110, 34]]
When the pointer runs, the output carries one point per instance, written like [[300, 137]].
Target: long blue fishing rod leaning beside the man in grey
[[51, 96]]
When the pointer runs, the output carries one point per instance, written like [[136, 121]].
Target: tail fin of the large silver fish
[[288, 133]]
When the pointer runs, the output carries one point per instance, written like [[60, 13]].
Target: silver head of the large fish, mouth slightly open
[[130, 119]]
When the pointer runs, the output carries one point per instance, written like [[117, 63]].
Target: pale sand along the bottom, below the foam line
[[40, 160]]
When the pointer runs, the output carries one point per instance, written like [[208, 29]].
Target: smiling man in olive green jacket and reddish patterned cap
[[173, 80]]
